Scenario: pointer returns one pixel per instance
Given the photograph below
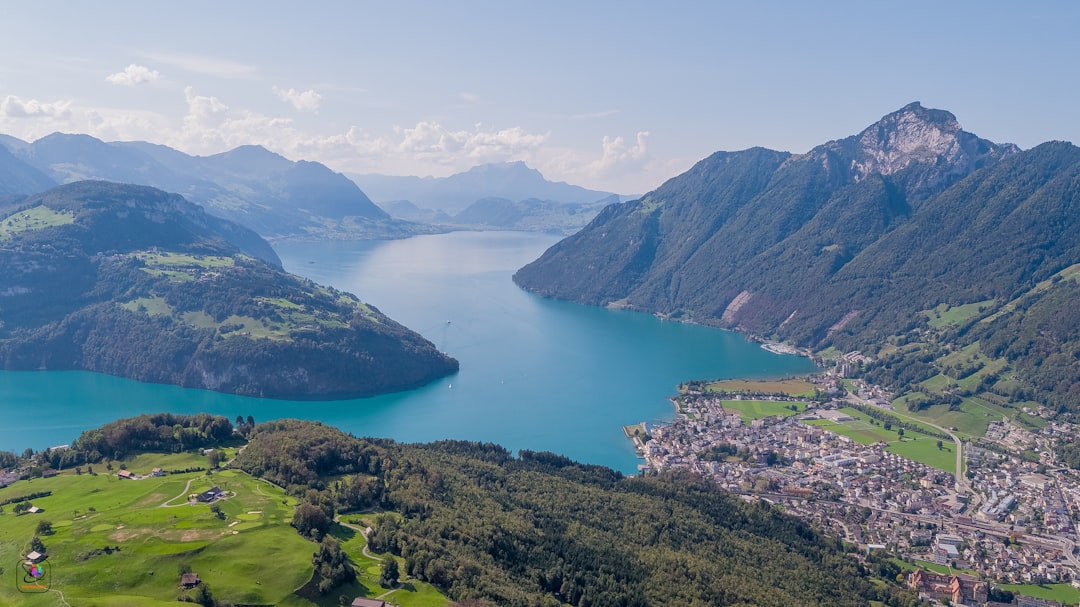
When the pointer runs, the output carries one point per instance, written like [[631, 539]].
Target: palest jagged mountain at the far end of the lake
[[511, 181]]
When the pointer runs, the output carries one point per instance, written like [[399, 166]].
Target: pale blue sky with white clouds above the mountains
[[617, 97]]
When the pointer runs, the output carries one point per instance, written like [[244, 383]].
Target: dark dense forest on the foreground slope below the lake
[[541, 530]]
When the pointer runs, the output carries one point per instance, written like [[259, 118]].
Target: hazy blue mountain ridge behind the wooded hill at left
[[250, 185]]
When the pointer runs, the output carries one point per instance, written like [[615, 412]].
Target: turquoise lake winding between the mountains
[[535, 374]]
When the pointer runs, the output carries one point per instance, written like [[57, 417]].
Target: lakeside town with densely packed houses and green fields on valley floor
[[1006, 518]]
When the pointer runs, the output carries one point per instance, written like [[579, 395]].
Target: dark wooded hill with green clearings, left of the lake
[[136, 282]]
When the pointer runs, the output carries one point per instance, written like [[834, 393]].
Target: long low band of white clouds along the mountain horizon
[[211, 126]]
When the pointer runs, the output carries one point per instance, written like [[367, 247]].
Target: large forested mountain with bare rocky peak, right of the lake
[[850, 245]]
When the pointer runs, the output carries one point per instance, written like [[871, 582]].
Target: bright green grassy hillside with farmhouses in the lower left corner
[[251, 557]]
